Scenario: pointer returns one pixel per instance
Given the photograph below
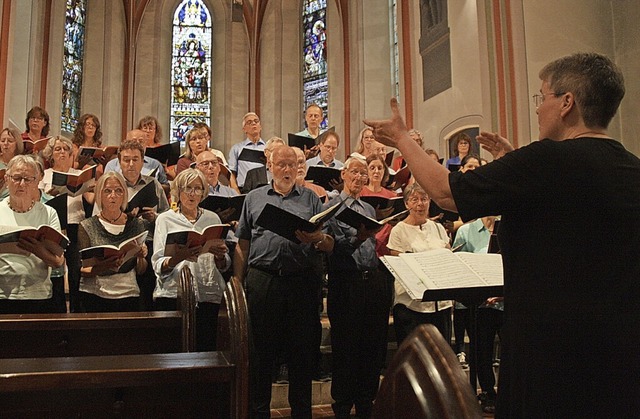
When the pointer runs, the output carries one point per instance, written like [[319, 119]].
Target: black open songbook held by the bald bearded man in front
[[285, 224]]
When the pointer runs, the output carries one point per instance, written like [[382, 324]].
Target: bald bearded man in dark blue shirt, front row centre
[[281, 298]]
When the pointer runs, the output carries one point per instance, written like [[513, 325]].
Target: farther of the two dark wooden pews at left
[[83, 334]]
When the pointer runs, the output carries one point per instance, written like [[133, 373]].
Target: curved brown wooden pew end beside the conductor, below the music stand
[[425, 380]]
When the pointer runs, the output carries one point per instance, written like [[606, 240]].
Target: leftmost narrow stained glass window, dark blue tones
[[72, 67]]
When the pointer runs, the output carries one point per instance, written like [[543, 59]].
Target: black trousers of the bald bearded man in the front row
[[283, 312]]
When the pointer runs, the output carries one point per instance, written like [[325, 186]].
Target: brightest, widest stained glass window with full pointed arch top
[[190, 68]]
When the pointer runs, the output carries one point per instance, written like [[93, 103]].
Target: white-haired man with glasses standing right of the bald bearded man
[[358, 302]]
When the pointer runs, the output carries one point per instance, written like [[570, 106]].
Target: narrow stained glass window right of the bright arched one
[[314, 56]]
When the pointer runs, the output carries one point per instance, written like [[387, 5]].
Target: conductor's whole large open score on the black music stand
[[433, 275]]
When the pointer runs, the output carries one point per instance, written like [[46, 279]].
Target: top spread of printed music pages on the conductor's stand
[[442, 269]]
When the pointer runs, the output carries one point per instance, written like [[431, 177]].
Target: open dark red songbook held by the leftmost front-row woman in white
[[11, 235]]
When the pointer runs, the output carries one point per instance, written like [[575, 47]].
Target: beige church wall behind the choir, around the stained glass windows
[[542, 31]]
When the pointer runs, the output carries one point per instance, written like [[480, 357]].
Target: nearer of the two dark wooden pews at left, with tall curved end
[[183, 384]]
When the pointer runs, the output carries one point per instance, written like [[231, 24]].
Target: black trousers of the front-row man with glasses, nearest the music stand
[[358, 306]]
